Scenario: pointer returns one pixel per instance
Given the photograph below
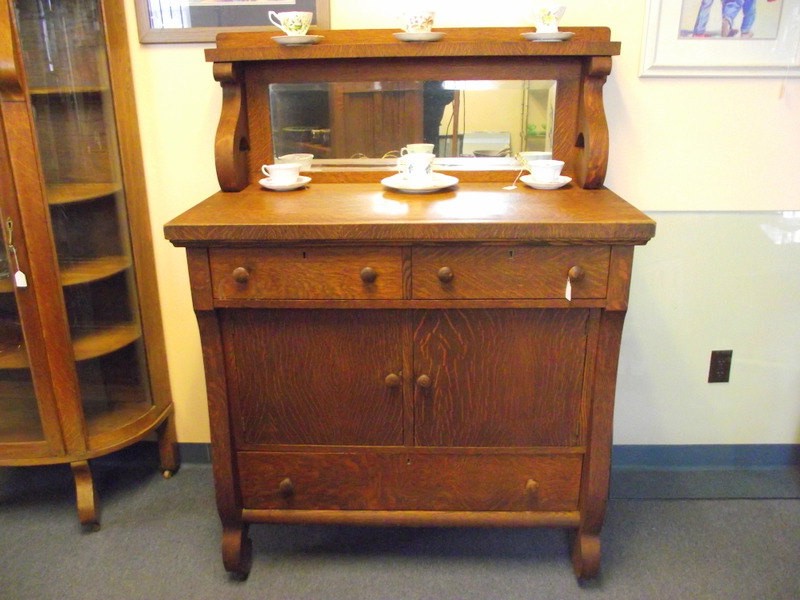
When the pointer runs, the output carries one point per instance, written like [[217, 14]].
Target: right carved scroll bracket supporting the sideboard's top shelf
[[592, 139]]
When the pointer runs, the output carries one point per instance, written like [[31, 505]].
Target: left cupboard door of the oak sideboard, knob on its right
[[314, 376]]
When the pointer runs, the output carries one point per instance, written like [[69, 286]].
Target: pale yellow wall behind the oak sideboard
[[713, 160]]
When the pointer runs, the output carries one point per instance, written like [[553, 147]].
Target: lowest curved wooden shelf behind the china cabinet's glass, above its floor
[[86, 344]]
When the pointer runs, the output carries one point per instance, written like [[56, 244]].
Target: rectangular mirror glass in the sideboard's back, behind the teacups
[[473, 124]]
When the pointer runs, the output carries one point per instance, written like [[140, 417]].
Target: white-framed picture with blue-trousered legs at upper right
[[721, 38]]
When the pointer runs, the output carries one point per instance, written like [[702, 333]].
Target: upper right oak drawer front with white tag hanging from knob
[[509, 272]]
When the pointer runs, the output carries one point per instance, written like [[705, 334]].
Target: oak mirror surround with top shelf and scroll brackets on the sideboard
[[246, 63]]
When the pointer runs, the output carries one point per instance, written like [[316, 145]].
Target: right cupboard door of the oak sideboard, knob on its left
[[500, 377]]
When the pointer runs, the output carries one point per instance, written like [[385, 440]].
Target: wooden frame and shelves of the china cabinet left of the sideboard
[[53, 348]]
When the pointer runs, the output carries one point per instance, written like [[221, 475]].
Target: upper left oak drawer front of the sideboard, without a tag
[[306, 273]]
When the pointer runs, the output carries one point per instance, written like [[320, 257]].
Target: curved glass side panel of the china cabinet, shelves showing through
[[67, 68]]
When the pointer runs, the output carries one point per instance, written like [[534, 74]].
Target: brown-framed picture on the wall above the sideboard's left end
[[165, 21]]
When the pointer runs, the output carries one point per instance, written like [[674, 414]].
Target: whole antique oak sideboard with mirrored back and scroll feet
[[380, 358]]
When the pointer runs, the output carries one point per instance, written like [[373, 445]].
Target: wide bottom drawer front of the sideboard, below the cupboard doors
[[409, 481]]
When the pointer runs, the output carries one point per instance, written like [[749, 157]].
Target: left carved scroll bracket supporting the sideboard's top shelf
[[232, 144]]
